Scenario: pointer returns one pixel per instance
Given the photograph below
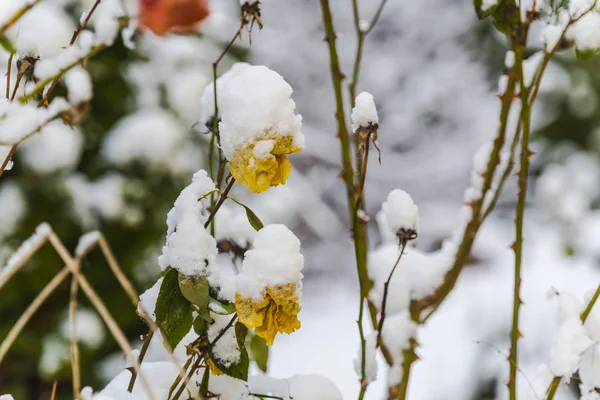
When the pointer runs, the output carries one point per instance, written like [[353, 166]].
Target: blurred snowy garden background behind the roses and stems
[[432, 68]]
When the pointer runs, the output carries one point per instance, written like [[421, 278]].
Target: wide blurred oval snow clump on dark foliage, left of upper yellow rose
[[152, 136]]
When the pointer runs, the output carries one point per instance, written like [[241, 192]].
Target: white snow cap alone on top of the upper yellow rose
[[256, 103]]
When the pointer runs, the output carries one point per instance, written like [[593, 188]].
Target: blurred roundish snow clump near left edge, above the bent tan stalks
[[55, 148]]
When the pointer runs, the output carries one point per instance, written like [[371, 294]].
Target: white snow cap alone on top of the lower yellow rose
[[274, 259]]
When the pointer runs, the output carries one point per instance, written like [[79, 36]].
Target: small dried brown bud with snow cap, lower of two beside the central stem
[[401, 214]]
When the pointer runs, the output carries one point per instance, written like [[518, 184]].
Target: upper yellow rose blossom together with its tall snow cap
[[258, 127]]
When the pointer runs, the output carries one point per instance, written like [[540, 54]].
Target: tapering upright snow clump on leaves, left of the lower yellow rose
[[189, 247]]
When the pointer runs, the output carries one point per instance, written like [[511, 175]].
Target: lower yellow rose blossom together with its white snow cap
[[269, 286]]
